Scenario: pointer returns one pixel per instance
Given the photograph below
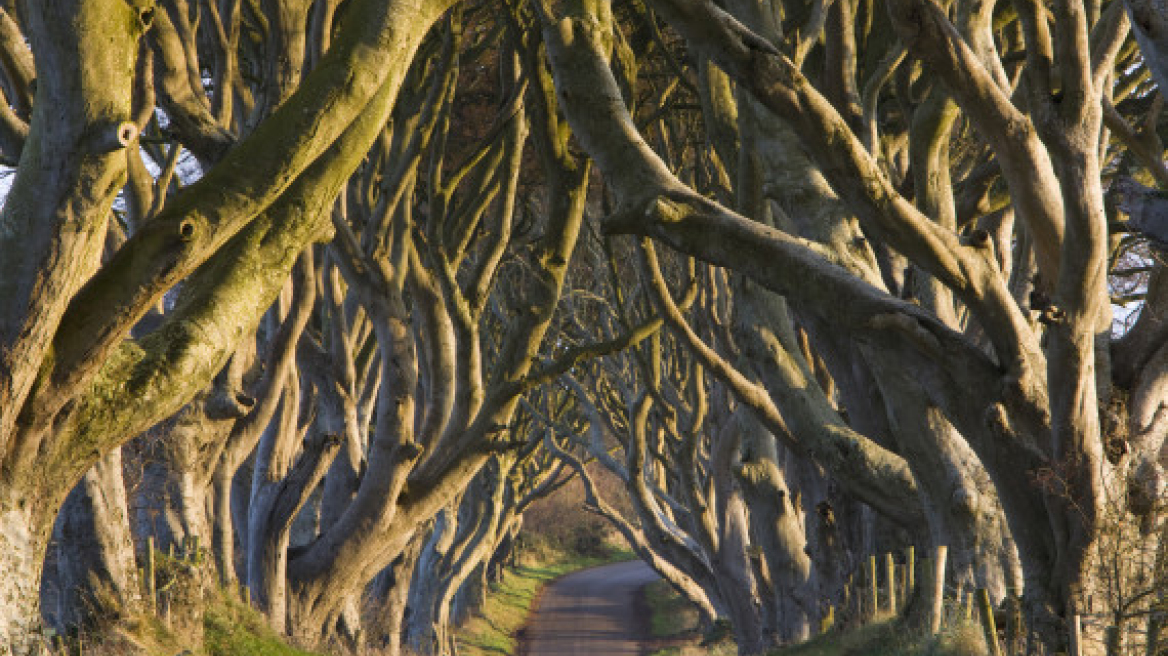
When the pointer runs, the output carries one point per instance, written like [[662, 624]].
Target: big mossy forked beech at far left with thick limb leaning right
[[74, 382]]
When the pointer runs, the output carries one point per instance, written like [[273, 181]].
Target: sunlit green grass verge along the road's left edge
[[493, 631]]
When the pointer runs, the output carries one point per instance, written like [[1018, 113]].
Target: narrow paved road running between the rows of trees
[[590, 613]]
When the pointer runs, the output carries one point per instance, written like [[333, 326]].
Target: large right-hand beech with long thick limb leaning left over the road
[[1026, 396]]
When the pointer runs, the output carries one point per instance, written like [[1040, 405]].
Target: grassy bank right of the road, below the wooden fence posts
[[675, 625]]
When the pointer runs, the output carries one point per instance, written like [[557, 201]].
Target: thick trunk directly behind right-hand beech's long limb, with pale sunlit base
[[956, 492]]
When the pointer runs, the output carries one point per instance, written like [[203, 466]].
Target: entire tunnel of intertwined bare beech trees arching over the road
[[343, 278]]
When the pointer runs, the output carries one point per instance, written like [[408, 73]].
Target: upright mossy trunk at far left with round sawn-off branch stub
[[52, 232]]
